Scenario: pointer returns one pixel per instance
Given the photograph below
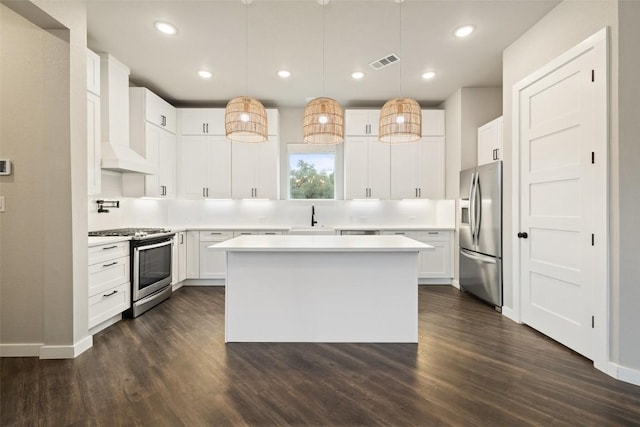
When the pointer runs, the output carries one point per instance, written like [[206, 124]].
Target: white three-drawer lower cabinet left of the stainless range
[[109, 285]]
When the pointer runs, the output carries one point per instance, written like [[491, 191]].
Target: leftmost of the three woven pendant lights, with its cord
[[245, 118]]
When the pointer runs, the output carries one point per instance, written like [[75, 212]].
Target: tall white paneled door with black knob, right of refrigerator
[[559, 131]]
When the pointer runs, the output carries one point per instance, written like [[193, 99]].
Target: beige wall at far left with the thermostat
[[43, 282]]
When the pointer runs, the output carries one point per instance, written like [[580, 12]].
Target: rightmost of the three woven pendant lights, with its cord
[[400, 118]]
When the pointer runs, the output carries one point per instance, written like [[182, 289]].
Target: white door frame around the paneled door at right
[[600, 297]]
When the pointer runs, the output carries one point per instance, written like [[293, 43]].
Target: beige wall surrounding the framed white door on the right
[[564, 27]]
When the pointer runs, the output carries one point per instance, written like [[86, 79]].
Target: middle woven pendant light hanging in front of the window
[[323, 117]]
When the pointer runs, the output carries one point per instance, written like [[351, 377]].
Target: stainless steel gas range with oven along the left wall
[[150, 265]]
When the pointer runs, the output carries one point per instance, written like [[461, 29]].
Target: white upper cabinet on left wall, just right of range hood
[[155, 141]]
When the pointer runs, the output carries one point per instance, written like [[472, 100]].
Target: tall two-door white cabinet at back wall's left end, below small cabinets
[[205, 167]]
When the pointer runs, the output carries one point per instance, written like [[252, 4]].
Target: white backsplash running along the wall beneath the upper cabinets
[[140, 212]]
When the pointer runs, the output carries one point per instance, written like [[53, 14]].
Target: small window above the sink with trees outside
[[311, 171]]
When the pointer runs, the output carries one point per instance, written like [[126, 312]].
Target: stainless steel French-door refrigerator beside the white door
[[480, 234]]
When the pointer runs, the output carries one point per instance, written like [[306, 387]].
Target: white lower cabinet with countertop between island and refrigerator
[[434, 266]]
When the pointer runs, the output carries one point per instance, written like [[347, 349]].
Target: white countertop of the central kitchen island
[[324, 243]]
